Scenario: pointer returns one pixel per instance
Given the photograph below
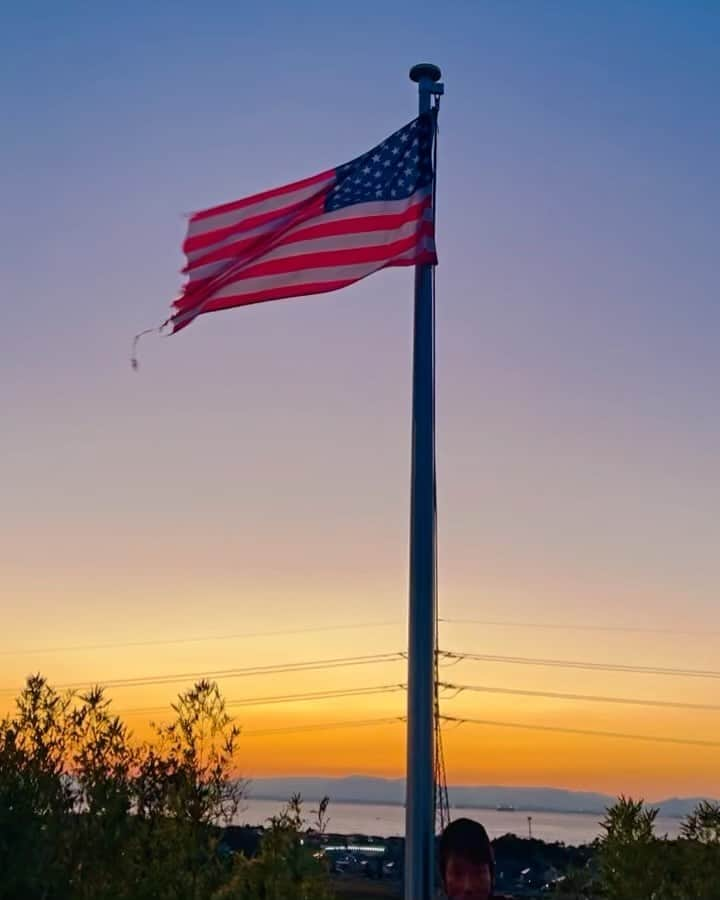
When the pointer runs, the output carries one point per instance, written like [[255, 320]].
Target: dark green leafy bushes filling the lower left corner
[[86, 814]]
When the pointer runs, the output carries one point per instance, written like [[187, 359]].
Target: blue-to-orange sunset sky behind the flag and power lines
[[243, 500]]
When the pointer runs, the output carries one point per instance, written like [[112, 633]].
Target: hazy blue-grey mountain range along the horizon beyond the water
[[359, 789]]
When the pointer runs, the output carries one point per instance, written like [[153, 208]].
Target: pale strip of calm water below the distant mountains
[[388, 821]]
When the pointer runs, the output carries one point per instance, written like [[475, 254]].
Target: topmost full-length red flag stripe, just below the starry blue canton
[[357, 225]]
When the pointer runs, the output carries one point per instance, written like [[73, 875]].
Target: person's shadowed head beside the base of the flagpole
[[467, 864]]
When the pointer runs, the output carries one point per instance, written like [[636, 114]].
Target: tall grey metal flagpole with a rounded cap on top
[[420, 798]]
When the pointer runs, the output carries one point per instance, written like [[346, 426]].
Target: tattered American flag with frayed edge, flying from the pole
[[315, 235]]
